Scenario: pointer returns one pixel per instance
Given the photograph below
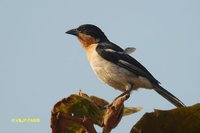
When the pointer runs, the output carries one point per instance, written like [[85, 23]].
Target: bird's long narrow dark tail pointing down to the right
[[167, 95]]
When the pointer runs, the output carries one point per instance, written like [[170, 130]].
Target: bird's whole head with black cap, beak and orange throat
[[88, 34]]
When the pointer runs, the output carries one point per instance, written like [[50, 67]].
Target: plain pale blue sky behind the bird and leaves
[[40, 64]]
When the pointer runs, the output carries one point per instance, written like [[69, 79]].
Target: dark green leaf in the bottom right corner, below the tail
[[179, 120]]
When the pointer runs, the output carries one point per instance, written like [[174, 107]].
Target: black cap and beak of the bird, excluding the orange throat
[[90, 30]]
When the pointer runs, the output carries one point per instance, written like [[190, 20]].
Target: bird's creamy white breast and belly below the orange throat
[[112, 74]]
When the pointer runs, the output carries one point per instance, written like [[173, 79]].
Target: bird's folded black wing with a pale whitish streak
[[116, 55]]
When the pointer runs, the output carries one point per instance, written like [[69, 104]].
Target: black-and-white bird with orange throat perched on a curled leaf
[[115, 66]]
